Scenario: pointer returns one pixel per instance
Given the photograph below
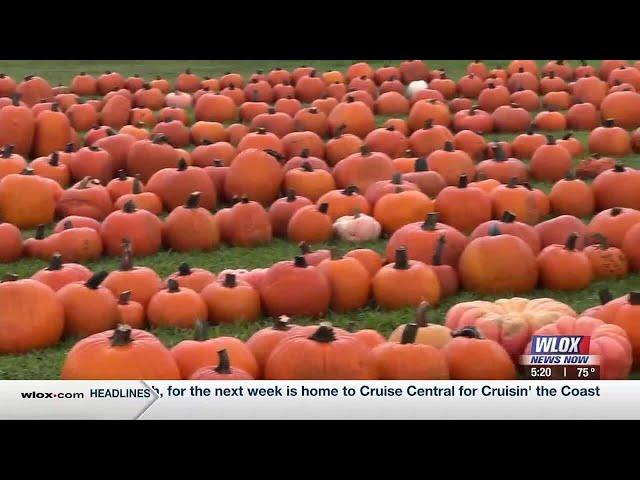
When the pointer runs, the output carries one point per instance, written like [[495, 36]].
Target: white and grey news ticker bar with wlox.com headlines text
[[319, 400]]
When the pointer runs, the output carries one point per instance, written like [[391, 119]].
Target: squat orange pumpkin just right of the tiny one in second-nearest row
[[176, 307]]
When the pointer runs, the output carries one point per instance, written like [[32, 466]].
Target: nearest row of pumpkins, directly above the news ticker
[[481, 341]]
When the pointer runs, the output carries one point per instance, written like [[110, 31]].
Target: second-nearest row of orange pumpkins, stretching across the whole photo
[[73, 301]]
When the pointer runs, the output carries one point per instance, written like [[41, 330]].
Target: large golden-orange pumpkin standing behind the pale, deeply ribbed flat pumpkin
[[498, 263]]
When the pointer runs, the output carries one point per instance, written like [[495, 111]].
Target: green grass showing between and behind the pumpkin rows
[[46, 364]]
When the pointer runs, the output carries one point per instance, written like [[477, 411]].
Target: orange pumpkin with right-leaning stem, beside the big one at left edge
[[89, 307]]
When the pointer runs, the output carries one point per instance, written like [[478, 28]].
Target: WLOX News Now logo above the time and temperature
[[560, 349]]
